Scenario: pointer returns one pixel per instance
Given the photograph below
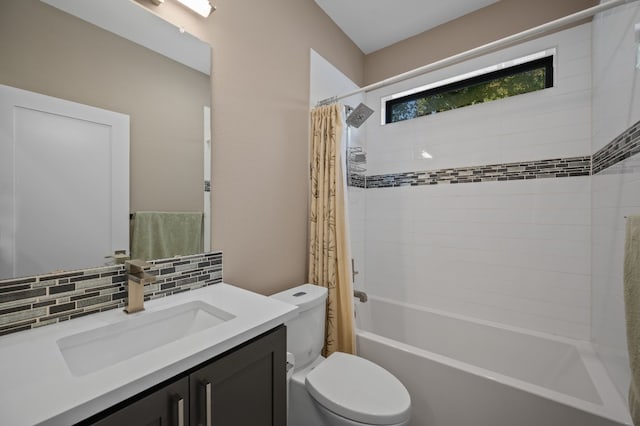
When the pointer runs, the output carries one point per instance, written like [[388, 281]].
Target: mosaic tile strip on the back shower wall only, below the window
[[554, 168]]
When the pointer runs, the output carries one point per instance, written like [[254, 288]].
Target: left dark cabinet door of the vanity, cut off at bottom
[[168, 406]]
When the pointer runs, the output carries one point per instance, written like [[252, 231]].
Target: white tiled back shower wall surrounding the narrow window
[[511, 244]]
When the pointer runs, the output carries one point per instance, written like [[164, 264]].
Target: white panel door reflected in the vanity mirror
[[64, 184]]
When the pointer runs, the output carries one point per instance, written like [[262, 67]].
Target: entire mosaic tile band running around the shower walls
[[622, 147]]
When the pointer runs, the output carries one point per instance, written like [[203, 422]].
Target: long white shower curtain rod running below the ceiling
[[486, 48]]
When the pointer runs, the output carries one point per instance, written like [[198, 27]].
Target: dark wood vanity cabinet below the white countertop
[[245, 386]]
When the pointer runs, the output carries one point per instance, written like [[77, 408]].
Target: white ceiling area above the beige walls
[[374, 24]]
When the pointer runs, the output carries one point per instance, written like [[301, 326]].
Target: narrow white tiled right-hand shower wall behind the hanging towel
[[616, 189]]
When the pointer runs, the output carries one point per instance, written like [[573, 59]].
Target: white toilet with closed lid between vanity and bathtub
[[343, 389]]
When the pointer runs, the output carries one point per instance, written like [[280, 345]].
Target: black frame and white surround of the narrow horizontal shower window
[[546, 59]]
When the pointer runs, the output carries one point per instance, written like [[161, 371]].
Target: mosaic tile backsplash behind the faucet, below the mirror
[[46, 299]]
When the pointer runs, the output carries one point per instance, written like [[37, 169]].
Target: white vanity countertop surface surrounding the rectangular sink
[[37, 387]]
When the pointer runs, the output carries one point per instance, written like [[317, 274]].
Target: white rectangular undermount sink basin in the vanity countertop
[[104, 346]]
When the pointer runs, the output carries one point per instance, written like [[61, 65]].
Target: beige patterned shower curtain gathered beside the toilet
[[328, 248]]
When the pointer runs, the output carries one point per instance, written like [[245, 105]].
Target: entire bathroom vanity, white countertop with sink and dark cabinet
[[213, 355]]
